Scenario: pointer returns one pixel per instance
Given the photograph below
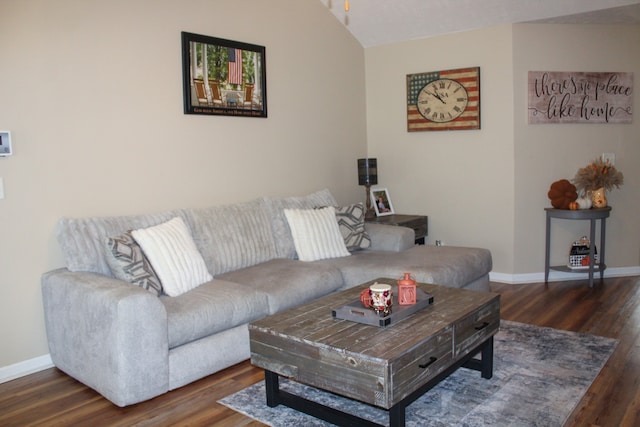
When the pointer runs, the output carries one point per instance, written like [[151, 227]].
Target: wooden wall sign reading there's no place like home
[[580, 97]]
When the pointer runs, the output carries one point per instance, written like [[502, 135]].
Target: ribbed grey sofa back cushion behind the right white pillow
[[279, 226]]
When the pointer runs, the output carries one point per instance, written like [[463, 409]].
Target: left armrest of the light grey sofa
[[108, 334]]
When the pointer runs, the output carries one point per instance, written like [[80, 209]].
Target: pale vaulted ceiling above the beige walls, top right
[[380, 22]]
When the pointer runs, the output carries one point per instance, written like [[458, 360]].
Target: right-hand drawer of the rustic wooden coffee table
[[472, 330]]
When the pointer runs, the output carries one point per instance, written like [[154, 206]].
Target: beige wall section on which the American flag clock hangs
[[463, 180]]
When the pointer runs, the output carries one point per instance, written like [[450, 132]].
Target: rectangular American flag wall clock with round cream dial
[[444, 100]]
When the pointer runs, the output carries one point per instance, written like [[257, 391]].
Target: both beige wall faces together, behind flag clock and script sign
[[488, 187]]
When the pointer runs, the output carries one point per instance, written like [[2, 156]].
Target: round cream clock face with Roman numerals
[[442, 100]]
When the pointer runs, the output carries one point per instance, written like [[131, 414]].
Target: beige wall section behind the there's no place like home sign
[[546, 153]]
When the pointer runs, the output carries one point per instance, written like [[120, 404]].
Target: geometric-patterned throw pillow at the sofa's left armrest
[[128, 263]]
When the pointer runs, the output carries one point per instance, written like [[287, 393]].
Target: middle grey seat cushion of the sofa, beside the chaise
[[288, 282]]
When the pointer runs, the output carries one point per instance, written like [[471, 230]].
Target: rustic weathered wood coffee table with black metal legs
[[388, 367]]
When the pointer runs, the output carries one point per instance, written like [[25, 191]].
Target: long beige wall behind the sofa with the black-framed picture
[[92, 92]]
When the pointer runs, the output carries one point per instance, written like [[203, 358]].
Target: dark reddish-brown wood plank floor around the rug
[[611, 309]]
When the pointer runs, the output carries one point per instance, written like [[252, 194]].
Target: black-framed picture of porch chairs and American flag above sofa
[[223, 77]]
